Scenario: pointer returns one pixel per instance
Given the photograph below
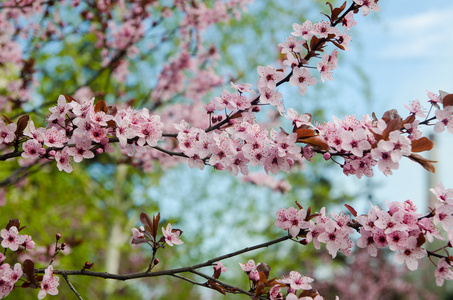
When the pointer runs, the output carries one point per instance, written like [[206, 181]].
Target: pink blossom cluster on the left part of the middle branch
[[78, 131]]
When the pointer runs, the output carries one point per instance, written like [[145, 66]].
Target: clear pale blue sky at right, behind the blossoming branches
[[405, 49]]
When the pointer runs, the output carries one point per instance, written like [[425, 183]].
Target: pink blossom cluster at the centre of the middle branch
[[241, 145]]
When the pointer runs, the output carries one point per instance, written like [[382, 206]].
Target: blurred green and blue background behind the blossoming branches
[[396, 55]]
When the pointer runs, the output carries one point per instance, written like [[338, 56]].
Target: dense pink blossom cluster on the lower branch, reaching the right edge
[[400, 228]]
